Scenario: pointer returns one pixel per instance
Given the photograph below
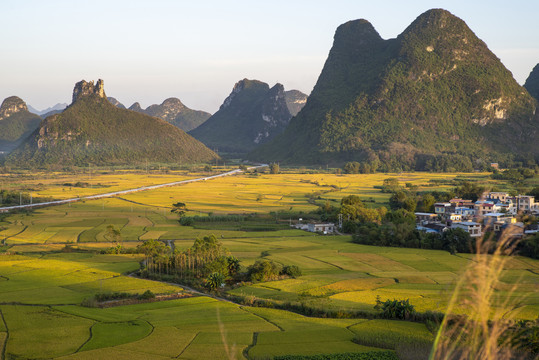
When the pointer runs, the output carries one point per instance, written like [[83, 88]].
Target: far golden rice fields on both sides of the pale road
[[243, 193]]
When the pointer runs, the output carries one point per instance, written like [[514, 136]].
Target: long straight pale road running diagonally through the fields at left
[[123, 192]]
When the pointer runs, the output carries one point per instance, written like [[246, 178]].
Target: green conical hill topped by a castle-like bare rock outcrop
[[92, 130]]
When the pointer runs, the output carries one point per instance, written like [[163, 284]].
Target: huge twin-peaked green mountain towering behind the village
[[435, 95]]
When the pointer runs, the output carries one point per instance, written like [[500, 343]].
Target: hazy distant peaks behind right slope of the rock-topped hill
[[171, 110]]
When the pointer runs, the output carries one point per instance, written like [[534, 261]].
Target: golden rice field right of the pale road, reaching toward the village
[[285, 192]]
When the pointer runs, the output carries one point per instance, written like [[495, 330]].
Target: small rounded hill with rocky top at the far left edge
[[16, 123]]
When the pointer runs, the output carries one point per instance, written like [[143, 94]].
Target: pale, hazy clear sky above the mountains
[[148, 51]]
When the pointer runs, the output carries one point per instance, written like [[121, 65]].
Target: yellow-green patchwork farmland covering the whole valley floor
[[53, 265]]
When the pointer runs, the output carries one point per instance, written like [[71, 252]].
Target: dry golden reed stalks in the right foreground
[[482, 334]]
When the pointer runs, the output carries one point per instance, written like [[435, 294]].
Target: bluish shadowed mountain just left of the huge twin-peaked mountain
[[251, 115]]
